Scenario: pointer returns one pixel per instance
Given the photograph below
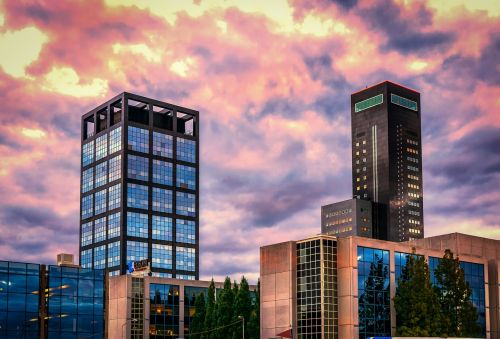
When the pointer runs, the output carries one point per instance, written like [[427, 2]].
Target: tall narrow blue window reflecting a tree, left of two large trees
[[373, 291]]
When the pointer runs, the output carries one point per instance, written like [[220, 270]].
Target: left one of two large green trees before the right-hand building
[[418, 311]]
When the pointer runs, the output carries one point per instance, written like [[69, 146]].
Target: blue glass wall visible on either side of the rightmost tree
[[474, 276]]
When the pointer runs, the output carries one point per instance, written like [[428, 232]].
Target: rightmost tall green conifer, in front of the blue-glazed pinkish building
[[454, 293]]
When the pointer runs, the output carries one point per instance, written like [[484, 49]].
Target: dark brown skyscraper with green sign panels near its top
[[387, 158]]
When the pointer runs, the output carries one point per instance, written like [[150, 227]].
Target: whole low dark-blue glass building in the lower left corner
[[74, 307]]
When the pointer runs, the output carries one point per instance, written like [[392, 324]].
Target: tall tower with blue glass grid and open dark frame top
[[140, 187]]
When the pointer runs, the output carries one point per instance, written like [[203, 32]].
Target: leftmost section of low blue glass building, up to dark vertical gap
[[19, 300]]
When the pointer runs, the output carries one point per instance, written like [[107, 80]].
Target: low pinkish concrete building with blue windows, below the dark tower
[[364, 309]]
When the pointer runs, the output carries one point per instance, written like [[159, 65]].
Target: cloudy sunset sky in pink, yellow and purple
[[272, 81]]
